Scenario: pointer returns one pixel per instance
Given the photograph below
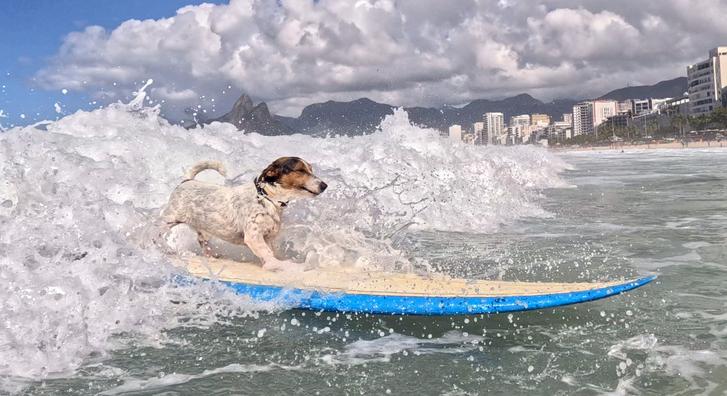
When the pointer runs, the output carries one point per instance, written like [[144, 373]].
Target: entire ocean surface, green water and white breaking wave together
[[89, 306]]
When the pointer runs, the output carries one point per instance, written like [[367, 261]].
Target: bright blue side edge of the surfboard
[[311, 299]]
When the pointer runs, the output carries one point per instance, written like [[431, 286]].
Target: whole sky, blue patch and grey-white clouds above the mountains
[[294, 53]]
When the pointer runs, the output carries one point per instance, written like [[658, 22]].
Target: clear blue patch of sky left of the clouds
[[32, 31]]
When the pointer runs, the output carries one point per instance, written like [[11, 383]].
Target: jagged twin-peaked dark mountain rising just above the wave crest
[[250, 118]]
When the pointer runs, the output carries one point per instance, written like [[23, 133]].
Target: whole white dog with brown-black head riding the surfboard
[[247, 214]]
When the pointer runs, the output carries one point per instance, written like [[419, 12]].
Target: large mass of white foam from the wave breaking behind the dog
[[77, 200]]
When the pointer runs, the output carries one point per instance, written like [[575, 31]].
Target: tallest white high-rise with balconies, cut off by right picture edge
[[707, 81]]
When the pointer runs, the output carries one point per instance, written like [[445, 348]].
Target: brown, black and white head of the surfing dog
[[292, 177]]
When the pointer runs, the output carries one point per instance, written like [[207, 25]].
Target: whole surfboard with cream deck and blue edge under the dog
[[357, 291]]
